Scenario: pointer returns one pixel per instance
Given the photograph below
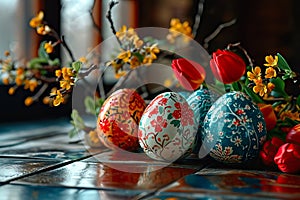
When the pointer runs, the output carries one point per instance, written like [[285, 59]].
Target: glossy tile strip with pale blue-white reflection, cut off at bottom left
[[24, 192]]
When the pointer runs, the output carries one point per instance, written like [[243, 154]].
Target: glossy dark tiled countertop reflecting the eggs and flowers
[[39, 161]]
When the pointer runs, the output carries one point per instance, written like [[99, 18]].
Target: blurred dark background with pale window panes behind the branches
[[263, 27]]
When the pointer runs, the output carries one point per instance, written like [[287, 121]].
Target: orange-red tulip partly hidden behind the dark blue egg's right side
[[269, 115]]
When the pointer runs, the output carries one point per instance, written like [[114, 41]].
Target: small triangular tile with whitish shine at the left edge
[[12, 168]]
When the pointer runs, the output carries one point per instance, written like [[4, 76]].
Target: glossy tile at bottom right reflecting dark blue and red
[[245, 183]]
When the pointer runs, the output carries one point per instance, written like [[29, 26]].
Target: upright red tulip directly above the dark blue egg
[[227, 66]]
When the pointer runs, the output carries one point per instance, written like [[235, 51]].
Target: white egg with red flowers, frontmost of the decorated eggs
[[167, 128]]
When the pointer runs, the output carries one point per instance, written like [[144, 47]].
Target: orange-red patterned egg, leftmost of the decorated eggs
[[118, 119]]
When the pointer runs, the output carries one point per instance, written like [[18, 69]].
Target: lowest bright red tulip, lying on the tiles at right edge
[[288, 158]]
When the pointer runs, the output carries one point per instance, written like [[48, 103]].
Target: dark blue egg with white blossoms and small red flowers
[[234, 129]]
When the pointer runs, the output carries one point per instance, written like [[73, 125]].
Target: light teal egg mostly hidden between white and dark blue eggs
[[200, 102]]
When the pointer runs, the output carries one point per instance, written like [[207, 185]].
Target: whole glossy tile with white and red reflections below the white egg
[[97, 175]]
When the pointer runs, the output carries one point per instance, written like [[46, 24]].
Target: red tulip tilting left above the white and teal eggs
[[189, 73]]
